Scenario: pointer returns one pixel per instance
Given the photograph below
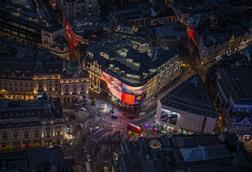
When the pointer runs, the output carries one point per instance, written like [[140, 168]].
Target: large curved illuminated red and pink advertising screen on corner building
[[125, 93]]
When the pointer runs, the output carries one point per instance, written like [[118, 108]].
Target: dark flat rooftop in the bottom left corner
[[38, 159]]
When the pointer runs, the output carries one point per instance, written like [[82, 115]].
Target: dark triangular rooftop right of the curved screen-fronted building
[[190, 96]]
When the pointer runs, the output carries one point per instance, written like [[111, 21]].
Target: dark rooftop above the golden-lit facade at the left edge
[[31, 61]]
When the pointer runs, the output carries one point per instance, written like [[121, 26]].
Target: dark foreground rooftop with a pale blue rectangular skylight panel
[[191, 153]]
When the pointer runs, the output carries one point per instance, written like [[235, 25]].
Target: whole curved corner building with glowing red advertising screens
[[131, 74]]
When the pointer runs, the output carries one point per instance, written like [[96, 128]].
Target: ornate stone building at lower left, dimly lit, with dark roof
[[25, 124]]
